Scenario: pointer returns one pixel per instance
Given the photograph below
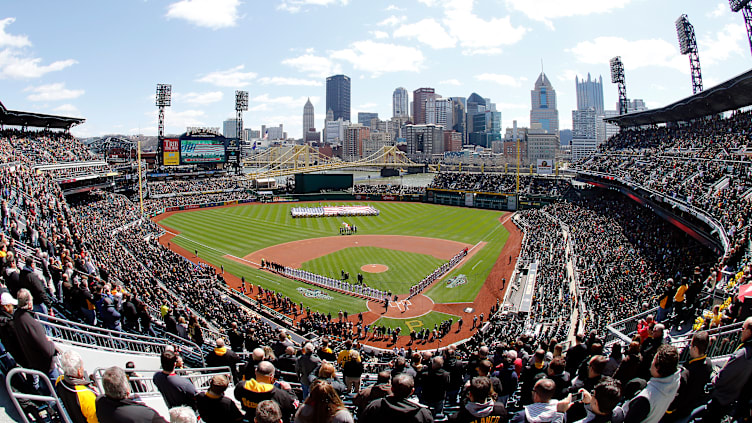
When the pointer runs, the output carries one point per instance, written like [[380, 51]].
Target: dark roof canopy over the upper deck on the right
[[730, 95]]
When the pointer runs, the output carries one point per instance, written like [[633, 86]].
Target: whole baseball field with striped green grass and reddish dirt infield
[[392, 251]]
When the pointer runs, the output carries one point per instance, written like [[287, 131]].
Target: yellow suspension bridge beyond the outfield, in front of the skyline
[[284, 161]]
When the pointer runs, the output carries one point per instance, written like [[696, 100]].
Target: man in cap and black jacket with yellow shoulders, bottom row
[[261, 388]]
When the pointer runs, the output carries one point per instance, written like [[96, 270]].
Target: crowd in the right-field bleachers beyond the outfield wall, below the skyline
[[500, 183]]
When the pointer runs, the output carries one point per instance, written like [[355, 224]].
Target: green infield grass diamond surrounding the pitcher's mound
[[404, 268]]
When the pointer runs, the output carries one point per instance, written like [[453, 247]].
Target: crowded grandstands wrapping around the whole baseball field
[[630, 299]]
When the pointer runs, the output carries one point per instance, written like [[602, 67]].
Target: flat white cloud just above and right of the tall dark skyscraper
[[379, 58]]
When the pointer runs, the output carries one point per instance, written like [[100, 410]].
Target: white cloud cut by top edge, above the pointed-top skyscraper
[[547, 10]]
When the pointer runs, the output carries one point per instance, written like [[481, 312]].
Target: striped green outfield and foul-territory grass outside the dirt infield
[[241, 230]]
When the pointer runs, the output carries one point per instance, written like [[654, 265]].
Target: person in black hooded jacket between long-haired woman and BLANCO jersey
[[397, 407]]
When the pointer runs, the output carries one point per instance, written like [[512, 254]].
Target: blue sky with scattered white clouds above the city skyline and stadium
[[101, 60]]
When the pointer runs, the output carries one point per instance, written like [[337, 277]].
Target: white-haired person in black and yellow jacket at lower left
[[75, 391]]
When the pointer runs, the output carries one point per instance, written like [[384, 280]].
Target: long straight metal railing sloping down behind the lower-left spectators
[[79, 334]]
